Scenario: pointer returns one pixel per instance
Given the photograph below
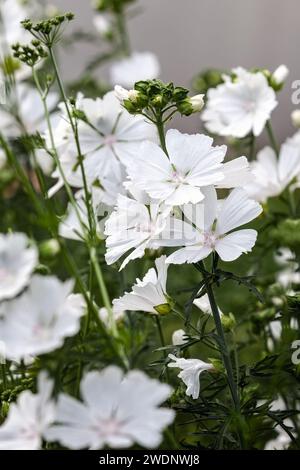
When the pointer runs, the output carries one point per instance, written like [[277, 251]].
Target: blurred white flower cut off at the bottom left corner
[[29, 418]]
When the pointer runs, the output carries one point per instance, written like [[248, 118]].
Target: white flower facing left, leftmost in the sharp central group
[[133, 226]]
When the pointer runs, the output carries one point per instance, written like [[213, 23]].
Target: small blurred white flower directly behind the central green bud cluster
[[138, 66]]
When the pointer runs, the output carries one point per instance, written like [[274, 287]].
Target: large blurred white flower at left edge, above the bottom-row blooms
[[40, 319]]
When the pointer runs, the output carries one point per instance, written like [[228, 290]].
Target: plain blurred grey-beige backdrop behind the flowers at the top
[[192, 35]]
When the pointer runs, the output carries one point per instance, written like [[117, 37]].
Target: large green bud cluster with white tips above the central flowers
[[158, 96]]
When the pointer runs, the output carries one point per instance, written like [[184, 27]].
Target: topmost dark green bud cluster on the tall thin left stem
[[47, 31]]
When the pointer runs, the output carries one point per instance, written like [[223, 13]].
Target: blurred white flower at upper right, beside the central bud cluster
[[240, 106]]
